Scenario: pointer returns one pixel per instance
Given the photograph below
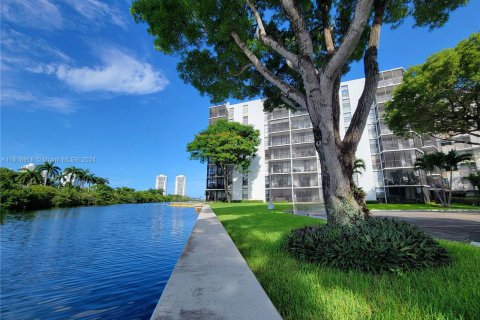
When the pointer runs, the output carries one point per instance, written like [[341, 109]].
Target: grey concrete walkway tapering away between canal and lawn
[[212, 280]]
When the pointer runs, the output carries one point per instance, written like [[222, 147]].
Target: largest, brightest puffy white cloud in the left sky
[[118, 73]]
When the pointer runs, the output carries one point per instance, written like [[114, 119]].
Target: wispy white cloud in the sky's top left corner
[[41, 14]]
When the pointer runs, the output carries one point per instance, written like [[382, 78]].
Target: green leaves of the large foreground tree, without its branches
[[200, 33]]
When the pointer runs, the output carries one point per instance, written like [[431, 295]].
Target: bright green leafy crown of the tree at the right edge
[[441, 95]]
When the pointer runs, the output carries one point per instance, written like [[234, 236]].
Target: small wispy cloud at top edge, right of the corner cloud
[[97, 12]]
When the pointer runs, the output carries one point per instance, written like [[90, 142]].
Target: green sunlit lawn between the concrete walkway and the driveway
[[305, 291]]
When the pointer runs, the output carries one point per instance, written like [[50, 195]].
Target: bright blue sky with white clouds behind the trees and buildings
[[80, 80]]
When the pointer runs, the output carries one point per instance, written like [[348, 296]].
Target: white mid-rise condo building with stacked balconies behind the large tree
[[287, 166]]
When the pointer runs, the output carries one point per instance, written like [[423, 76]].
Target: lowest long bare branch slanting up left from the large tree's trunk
[[289, 91]]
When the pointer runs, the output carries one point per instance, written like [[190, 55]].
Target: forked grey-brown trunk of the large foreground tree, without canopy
[[336, 156]]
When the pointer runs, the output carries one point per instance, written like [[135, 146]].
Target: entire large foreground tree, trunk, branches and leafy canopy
[[293, 54]]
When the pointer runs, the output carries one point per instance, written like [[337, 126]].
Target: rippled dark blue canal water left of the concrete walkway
[[109, 262]]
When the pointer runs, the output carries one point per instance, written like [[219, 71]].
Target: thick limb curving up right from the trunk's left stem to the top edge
[[350, 41]]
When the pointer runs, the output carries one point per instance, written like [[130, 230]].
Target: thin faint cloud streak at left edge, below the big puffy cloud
[[35, 102]]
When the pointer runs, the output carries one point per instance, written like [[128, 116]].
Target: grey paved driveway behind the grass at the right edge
[[459, 226]]
